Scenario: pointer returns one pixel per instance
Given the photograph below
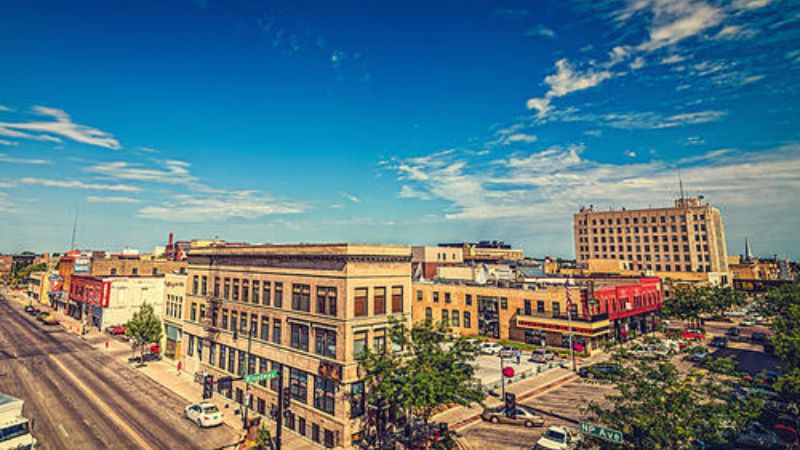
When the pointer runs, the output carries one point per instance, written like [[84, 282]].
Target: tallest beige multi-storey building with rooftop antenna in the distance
[[688, 237]]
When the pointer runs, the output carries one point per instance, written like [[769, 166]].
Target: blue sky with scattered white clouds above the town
[[394, 122]]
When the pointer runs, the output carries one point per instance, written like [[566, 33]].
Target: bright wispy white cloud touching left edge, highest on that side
[[61, 127]]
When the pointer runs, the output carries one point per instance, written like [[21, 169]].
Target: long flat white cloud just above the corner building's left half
[[218, 207]]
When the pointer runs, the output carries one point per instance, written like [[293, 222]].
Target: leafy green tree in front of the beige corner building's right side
[[431, 370]]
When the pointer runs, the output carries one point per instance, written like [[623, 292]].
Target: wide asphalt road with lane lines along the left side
[[83, 399]]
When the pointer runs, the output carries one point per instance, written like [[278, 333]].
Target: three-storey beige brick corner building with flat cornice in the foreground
[[309, 309]]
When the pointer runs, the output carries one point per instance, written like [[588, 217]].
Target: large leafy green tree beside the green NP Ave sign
[[657, 407]]
